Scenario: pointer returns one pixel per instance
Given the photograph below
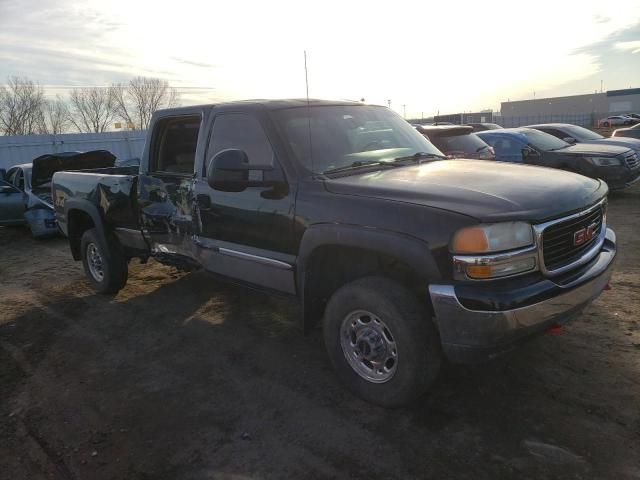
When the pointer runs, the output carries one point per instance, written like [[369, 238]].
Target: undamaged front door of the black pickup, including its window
[[246, 235]]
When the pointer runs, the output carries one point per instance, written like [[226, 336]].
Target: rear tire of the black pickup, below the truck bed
[[113, 262]]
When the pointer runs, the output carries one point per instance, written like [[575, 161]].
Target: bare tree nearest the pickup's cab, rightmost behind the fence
[[137, 100]]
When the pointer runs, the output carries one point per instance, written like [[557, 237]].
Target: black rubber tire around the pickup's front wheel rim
[[418, 352]]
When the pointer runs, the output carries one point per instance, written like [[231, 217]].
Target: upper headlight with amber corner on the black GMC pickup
[[495, 237]]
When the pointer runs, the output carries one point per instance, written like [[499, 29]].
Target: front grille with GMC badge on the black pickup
[[558, 248]]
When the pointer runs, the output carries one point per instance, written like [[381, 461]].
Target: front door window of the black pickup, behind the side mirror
[[244, 132]]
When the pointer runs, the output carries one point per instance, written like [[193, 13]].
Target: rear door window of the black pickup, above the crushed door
[[174, 146]]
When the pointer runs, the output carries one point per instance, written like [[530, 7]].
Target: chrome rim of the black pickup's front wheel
[[369, 346]]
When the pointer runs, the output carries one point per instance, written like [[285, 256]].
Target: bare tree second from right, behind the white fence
[[91, 109]]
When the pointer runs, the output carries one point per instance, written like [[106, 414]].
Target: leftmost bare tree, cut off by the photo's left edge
[[21, 107]]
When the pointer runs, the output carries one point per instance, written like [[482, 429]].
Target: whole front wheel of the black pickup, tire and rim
[[381, 341]]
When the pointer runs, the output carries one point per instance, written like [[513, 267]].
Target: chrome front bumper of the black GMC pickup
[[470, 336]]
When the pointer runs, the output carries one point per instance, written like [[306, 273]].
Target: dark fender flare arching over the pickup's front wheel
[[410, 250]]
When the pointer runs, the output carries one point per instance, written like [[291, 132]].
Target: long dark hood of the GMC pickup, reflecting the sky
[[486, 190]]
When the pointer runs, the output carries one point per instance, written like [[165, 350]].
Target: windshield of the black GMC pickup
[[326, 138]]
